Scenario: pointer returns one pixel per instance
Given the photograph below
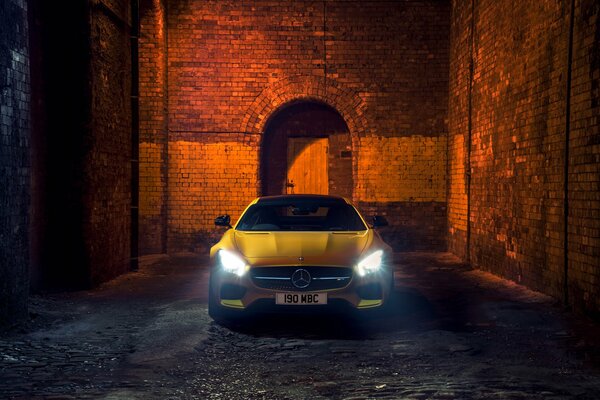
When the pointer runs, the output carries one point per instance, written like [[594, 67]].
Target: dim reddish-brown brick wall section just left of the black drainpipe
[[107, 185]]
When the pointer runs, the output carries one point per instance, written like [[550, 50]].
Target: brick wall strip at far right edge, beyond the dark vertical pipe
[[584, 160]]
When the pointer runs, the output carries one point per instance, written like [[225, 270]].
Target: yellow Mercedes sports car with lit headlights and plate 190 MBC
[[293, 252]]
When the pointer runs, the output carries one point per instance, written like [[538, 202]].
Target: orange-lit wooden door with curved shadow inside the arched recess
[[307, 166]]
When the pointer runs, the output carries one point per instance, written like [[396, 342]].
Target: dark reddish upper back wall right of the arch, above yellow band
[[395, 56]]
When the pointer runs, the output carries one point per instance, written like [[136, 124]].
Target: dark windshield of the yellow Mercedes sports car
[[301, 217]]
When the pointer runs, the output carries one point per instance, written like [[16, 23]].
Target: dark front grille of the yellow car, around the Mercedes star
[[280, 278]]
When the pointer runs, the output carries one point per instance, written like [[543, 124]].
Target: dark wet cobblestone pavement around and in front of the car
[[453, 333]]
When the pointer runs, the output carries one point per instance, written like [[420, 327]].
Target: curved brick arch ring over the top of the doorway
[[300, 87]]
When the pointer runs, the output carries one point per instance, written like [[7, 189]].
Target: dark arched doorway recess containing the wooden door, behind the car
[[306, 148]]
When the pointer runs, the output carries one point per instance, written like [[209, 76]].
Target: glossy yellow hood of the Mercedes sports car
[[323, 248]]
